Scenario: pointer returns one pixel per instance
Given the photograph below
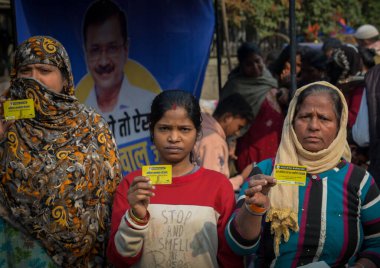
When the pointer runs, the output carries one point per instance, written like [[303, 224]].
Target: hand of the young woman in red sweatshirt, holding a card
[[139, 194]]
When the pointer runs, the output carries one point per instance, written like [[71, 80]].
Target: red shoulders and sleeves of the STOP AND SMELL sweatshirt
[[202, 188]]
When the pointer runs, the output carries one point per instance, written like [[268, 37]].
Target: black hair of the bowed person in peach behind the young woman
[[236, 105]]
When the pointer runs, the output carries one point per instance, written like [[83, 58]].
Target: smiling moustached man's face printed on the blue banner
[[106, 53]]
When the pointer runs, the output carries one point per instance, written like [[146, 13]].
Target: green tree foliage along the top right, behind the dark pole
[[270, 16]]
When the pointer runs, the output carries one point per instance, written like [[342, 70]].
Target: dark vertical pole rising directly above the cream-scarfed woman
[[293, 44]]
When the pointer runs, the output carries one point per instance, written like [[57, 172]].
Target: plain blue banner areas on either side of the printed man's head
[[170, 38]]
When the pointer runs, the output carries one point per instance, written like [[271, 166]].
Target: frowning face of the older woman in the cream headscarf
[[316, 124]]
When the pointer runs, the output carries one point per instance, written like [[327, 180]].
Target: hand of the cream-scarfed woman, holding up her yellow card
[[258, 189]]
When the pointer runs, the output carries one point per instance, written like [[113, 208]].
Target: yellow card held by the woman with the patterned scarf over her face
[[19, 109]]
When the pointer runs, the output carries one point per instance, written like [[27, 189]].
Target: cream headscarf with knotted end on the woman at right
[[284, 199]]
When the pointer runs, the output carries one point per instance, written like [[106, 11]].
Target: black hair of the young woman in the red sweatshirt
[[168, 99]]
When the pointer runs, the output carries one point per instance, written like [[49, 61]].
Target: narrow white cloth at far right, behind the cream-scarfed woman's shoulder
[[360, 130]]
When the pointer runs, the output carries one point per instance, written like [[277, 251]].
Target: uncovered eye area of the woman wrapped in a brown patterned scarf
[[48, 75]]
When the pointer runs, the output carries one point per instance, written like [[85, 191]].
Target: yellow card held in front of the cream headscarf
[[290, 174]]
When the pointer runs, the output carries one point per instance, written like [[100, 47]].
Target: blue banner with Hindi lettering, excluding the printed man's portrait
[[171, 39]]
